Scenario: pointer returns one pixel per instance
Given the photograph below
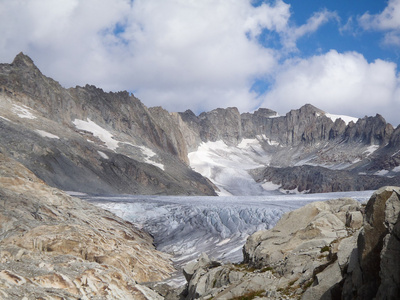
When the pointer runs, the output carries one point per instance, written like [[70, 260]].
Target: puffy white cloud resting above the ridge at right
[[337, 83]]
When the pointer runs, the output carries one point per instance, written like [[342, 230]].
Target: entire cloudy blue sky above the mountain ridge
[[341, 56]]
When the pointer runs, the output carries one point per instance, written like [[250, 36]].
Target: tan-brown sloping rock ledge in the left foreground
[[53, 246]]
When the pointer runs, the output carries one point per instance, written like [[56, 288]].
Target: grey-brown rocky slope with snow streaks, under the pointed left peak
[[84, 139]]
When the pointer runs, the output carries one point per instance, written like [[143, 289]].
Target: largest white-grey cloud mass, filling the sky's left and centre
[[176, 53]]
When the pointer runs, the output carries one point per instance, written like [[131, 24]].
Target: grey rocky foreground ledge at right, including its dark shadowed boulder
[[337, 249]]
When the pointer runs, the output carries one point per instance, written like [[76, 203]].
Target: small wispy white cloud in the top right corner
[[388, 21]]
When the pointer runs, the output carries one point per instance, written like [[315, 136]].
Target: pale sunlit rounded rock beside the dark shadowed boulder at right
[[304, 231]]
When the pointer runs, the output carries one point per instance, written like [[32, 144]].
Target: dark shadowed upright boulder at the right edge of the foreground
[[375, 272]]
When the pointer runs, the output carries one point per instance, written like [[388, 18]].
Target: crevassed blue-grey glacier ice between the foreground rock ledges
[[219, 226]]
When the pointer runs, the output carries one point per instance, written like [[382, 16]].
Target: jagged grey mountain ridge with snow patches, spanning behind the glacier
[[112, 143]]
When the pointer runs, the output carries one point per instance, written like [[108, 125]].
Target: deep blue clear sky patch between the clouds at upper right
[[332, 36]]
